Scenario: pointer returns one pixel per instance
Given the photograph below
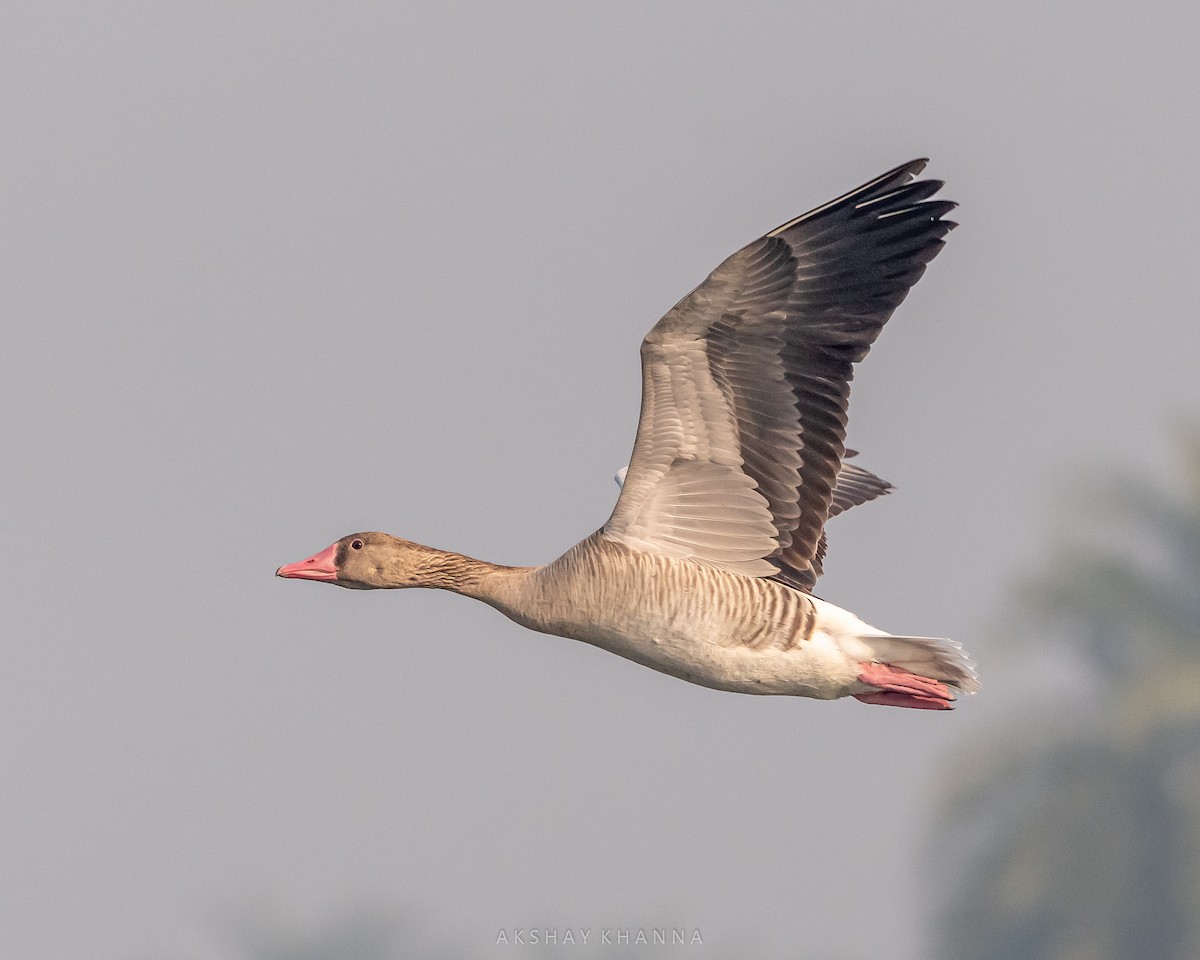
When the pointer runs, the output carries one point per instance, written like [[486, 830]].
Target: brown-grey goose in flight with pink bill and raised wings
[[706, 569]]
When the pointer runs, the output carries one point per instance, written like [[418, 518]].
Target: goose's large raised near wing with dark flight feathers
[[746, 382]]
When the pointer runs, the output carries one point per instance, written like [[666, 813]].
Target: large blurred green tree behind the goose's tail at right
[[1077, 835]]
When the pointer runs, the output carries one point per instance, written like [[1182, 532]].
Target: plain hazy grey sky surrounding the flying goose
[[277, 273]]
